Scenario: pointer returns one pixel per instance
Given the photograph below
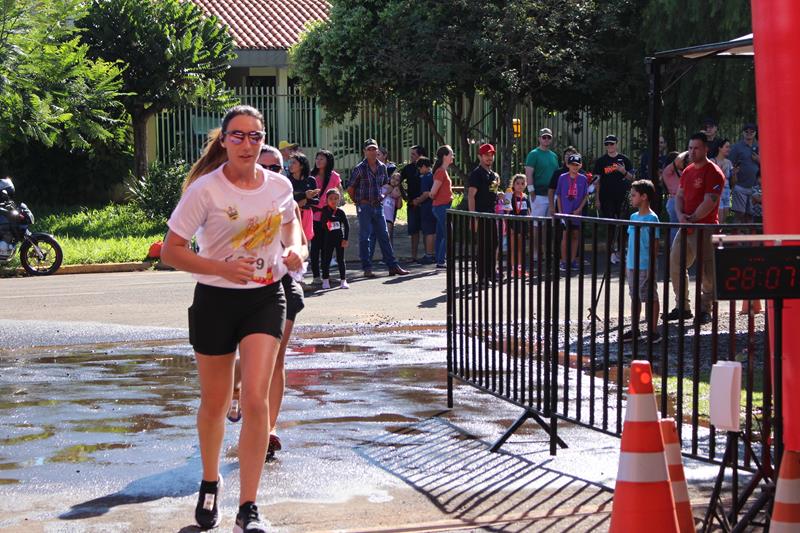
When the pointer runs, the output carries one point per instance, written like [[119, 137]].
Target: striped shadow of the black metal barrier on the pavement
[[462, 478]]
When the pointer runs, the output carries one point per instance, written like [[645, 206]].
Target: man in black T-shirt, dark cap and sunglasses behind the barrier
[[613, 174]]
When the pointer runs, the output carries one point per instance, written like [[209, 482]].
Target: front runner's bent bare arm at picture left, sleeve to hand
[[177, 254]]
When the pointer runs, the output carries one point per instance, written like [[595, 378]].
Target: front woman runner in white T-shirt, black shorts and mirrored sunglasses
[[240, 214]]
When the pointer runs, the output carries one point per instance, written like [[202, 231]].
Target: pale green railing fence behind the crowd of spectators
[[181, 132]]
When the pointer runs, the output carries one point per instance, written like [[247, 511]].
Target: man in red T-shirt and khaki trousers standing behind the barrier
[[697, 202]]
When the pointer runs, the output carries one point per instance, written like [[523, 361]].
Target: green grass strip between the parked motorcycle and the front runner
[[111, 234]]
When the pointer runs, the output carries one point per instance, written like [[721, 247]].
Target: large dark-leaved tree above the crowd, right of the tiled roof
[[426, 53]]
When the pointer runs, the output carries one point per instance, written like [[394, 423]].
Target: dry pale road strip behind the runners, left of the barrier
[[160, 299]]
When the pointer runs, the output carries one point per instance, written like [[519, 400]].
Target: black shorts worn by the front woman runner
[[220, 318]]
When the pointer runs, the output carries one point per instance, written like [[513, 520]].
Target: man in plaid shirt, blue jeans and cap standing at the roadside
[[365, 190]]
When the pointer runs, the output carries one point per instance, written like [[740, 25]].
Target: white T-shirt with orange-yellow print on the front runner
[[231, 223]]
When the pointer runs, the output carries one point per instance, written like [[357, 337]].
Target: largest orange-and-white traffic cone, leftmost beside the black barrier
[[642, 496]]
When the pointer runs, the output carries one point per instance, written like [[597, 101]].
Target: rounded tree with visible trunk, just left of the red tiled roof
[[173, 55]]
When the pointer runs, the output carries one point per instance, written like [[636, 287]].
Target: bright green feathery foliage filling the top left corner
[[51, 92]]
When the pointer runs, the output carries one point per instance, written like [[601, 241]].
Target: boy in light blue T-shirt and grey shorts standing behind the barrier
[[642, 193]]
